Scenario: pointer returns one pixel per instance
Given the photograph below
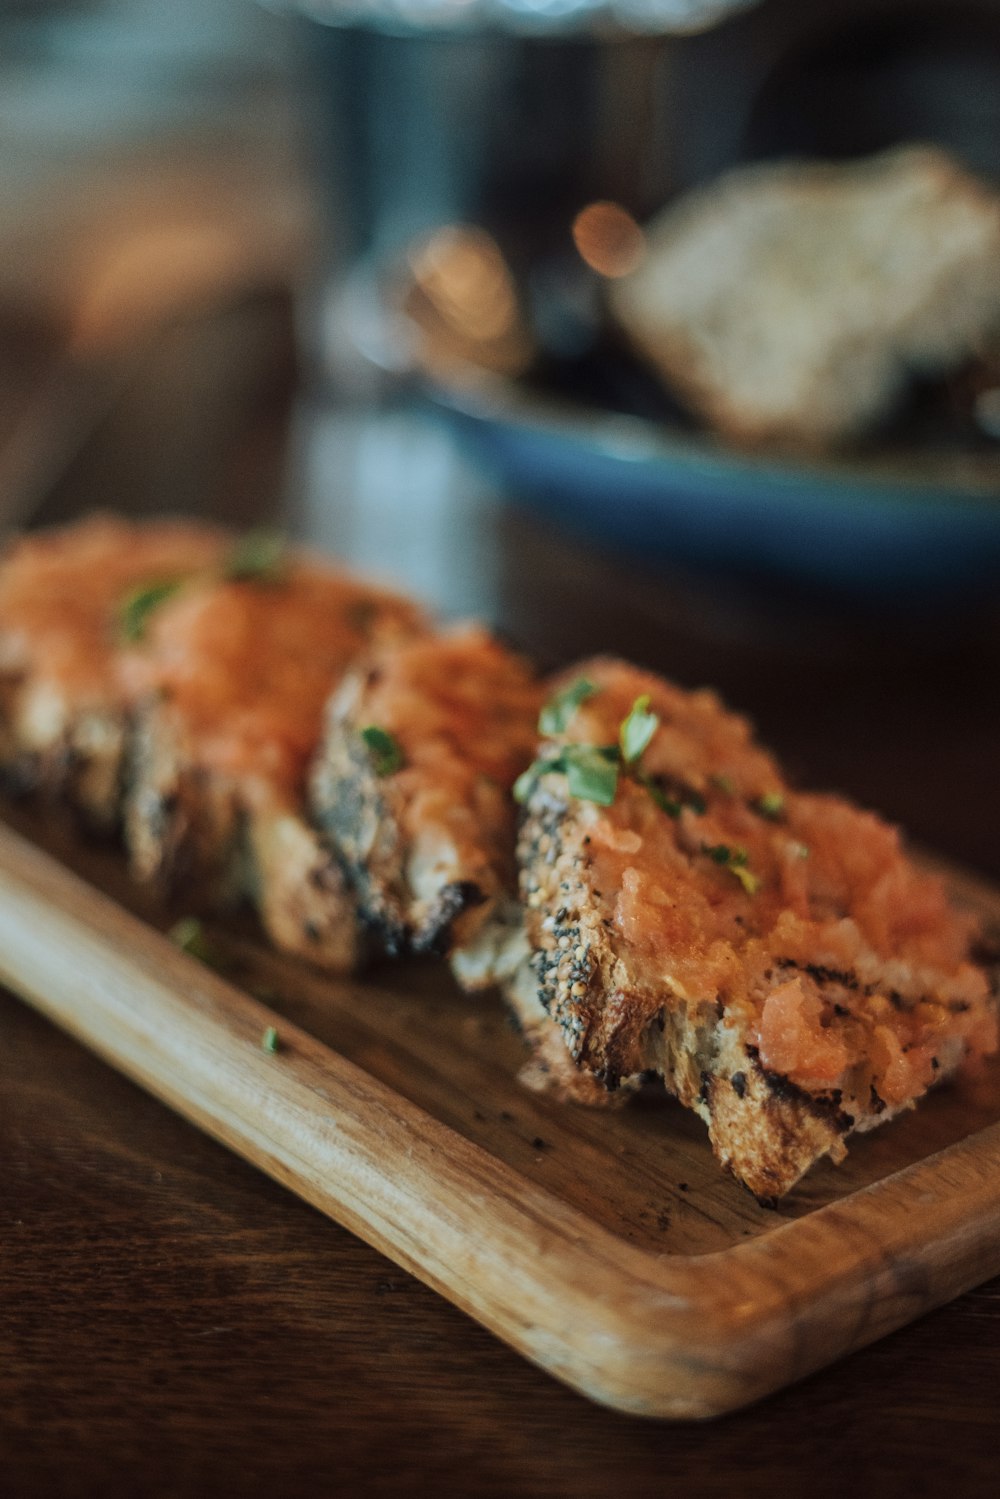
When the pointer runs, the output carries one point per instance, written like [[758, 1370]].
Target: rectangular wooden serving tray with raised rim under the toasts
[[605, 1246]]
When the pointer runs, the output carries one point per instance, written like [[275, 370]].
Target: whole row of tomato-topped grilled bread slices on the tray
[[771, 956]]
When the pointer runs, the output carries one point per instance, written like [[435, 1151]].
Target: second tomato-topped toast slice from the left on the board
[[229, 687]]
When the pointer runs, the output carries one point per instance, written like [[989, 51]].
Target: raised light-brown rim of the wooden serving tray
[[660, 1336]]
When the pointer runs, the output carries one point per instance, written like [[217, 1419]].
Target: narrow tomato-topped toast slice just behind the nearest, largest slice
[[412, 786]]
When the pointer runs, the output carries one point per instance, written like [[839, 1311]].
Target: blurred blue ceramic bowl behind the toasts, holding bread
[[893, 528]]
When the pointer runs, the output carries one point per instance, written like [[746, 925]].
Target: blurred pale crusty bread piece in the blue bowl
[[791, 302]]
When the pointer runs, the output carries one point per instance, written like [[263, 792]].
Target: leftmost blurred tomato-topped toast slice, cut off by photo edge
[[68, 602]]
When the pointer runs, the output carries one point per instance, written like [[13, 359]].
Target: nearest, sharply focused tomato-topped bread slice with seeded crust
[[773, 956]]
